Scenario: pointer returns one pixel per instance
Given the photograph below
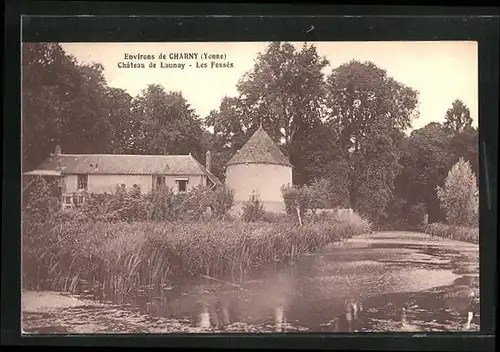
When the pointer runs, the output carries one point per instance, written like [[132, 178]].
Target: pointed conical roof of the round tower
[[259, 149]]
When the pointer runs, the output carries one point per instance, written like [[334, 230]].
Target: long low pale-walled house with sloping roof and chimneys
[[80, 174]]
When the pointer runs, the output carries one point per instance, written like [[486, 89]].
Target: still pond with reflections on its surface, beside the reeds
[[389, 281]]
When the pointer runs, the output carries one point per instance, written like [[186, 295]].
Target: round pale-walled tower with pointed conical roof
[[260, 167]]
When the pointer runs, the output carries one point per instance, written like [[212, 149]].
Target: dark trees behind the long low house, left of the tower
[[70, 104]]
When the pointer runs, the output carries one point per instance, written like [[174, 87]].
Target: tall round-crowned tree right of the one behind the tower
[[369, 111]]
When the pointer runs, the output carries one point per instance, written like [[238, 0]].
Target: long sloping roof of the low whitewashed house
[[119, 164]]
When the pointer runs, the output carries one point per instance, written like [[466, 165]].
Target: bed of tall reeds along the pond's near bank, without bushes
[[119, 258]]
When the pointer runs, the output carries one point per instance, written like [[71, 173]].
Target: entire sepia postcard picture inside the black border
[[249, 187]]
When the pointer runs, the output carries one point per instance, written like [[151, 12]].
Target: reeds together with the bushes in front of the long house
[[109, 250]]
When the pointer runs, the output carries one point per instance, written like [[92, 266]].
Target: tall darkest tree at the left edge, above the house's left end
[[63, 102]]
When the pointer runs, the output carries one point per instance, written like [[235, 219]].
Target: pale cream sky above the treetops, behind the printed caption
[[440, 71]]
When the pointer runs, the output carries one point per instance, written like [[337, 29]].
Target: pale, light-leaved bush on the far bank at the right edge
[[457, 197]]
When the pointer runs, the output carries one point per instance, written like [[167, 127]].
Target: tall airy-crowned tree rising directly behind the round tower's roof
[[283, 90]]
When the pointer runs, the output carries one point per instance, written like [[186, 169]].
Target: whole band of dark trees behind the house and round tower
[[344, 128]]
